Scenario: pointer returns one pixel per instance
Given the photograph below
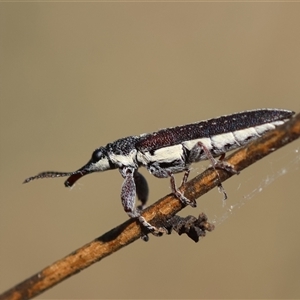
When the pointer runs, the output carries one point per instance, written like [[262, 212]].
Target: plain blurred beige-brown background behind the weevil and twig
[[75, 76]]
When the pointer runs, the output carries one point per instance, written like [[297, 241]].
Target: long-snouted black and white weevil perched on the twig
[[173, 150]]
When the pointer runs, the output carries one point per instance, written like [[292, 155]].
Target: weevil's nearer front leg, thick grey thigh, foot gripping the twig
[[128, 193]]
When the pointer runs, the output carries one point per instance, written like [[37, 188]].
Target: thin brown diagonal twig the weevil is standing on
[[157, 213]]
